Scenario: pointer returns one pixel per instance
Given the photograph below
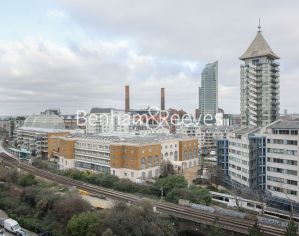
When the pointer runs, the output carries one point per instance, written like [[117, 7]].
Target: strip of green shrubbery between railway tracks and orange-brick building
[[174, 186]]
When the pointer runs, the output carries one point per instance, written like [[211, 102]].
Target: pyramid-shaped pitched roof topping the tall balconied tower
[[258, 48]]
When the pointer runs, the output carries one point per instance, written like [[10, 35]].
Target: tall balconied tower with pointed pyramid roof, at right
[[259, 84]]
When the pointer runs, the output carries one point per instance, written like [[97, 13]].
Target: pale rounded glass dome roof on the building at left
[[49, 121]]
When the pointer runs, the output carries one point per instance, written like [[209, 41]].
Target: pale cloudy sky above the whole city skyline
[[78, 54]]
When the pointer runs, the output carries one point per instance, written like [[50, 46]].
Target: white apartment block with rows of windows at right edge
[[283, 159]]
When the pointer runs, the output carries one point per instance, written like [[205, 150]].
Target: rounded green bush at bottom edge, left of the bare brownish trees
[[86, 223]]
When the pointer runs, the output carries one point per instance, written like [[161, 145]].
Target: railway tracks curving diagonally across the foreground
[[202, 217]]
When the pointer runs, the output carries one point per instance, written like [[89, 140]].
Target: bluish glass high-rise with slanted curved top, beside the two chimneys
[[209, 89]]
